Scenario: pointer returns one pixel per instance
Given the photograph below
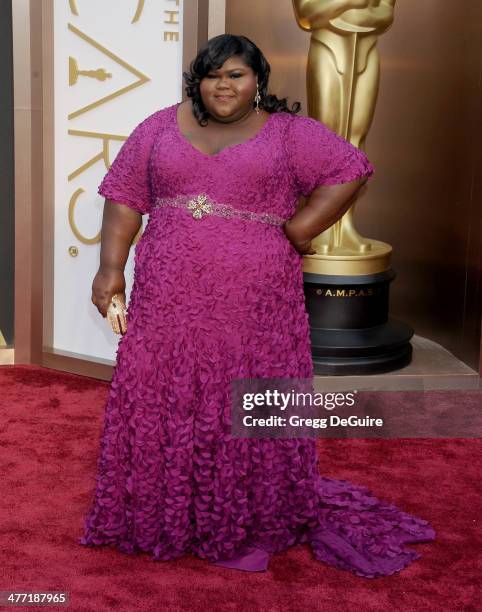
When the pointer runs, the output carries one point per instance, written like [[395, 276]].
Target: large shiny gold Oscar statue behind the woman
[[343, 74]]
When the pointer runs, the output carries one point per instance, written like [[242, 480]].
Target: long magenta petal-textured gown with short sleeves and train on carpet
[[216, 298]]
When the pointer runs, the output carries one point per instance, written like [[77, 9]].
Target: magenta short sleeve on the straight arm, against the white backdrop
[[128, 179]]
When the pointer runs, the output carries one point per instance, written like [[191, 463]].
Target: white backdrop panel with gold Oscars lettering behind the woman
[[139, 43]]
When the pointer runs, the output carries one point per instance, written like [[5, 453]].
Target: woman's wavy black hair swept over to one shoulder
[[213, 55]]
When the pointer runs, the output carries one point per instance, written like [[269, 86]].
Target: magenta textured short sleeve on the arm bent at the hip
[[319, 156]]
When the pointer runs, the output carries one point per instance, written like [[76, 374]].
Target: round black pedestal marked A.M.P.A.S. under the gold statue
[[350, 330]]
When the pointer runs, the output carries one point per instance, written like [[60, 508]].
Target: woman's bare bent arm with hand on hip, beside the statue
[[326, 204]]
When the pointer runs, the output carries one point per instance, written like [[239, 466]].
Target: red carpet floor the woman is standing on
[[50, 428]]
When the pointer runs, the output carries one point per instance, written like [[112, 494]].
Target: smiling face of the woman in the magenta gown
[[229, 91]]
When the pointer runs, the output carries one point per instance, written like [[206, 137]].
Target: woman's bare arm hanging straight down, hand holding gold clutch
[[120, 224]]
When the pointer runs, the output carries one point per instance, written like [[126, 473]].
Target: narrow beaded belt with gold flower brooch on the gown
[[201, 205]]
